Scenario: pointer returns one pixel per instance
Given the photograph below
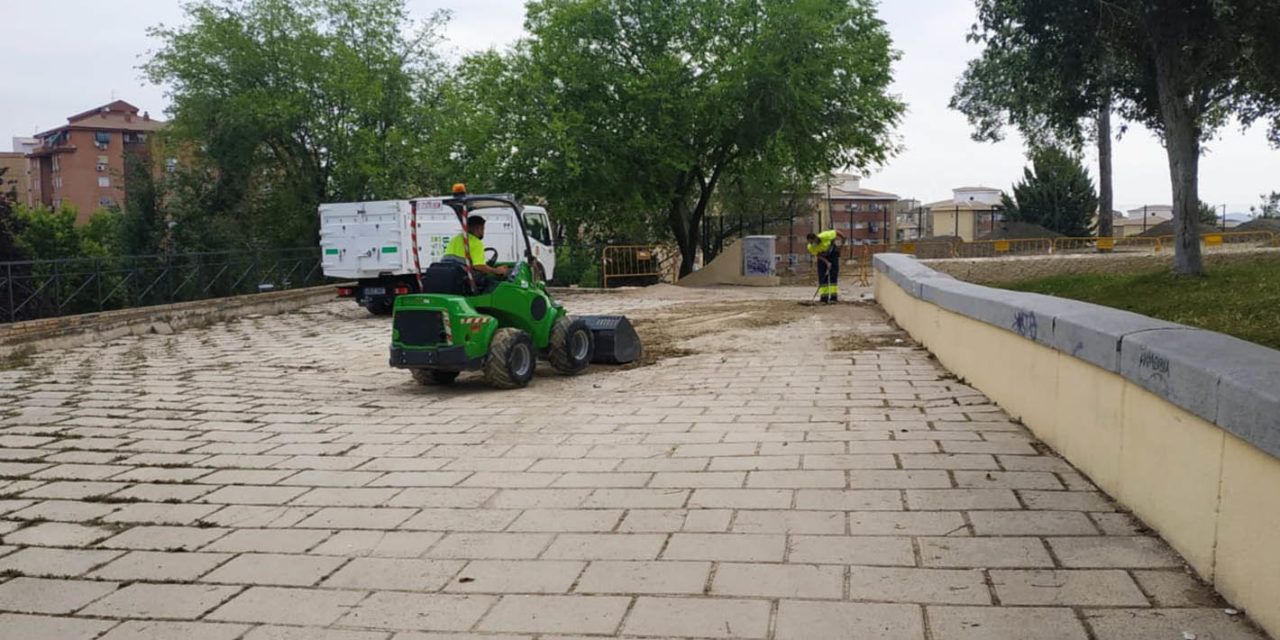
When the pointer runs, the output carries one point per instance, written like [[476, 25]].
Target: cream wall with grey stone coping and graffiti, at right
[[1181, 426]]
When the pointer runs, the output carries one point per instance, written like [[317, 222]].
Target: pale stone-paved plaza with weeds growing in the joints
[[776, 472]]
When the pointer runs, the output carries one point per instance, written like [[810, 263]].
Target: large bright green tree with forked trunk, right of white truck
[[652, 106]]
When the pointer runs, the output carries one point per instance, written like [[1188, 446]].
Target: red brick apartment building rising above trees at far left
[[83, 163]]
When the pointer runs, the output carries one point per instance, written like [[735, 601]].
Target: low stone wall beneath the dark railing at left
[[67, 332]]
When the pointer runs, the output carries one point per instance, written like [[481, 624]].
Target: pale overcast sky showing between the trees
[[66, 57]]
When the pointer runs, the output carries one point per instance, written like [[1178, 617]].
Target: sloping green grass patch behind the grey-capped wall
[[1240, 300]]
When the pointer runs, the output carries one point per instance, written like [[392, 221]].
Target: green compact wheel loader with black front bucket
[[464, 321]]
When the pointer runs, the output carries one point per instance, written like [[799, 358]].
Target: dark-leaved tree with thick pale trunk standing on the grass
[[1182, 68]]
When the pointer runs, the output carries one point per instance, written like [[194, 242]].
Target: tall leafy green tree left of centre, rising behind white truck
[[287, 104]]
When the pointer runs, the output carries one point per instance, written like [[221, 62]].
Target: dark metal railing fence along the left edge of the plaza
[[53, 289]]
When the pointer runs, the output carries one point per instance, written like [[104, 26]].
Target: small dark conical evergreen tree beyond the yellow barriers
[[1055, 193]]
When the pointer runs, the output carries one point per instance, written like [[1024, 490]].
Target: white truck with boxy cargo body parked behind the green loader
[[372, 244]]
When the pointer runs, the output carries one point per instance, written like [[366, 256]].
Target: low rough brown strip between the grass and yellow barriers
[[1003, 271]]
